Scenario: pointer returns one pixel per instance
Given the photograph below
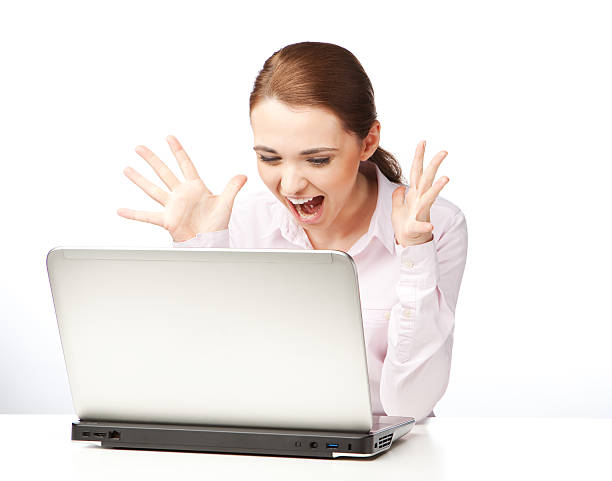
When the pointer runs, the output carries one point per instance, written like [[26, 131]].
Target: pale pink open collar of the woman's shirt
[[380, 224]]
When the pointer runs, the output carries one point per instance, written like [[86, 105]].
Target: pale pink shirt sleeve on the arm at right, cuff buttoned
[[416, 369]]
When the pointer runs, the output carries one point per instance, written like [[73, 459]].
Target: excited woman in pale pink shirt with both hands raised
[[331, 186]]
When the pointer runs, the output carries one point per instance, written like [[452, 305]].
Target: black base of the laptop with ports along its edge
[[260, 441]]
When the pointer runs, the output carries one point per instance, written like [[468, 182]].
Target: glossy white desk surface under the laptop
[[39, 447]]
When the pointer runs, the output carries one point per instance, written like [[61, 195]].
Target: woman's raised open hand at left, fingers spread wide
[[189, 207]]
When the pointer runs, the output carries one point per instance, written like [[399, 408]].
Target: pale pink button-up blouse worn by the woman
[[408, 295]]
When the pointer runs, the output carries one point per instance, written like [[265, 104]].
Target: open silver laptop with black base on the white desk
[[256, 351]]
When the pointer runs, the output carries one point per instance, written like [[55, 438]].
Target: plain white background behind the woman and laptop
[[518, 94]]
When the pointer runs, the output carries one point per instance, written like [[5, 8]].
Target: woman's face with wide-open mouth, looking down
[[305, 153]]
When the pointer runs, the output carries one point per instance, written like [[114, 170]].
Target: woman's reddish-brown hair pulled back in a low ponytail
[[324, 75]]
